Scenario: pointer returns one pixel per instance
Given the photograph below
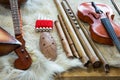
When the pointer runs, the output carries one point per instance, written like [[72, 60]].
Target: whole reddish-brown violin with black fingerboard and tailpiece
[[100, 17]]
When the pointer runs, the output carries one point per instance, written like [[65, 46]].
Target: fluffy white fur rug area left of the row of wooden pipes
[[41, 68]]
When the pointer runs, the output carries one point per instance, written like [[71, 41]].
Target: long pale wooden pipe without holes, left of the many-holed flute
[[75, 39]]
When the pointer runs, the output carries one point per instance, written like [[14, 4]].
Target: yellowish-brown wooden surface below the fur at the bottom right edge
[[89, 74]]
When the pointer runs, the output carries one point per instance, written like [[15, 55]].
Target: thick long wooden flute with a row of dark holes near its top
[[85, 43]]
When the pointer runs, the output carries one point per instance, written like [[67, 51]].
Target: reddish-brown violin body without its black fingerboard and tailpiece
[[87, 13]]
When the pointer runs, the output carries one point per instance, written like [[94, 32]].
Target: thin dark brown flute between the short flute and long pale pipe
[[71, 44]]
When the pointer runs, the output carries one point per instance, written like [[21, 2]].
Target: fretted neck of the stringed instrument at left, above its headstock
[[15, 16]]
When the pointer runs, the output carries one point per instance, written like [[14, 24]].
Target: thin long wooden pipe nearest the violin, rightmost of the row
[[98, 53]]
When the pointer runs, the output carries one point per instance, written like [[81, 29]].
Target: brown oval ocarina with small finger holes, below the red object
[[48, 46]]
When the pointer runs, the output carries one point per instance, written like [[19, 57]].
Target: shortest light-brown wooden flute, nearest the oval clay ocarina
[[63, 40]]
